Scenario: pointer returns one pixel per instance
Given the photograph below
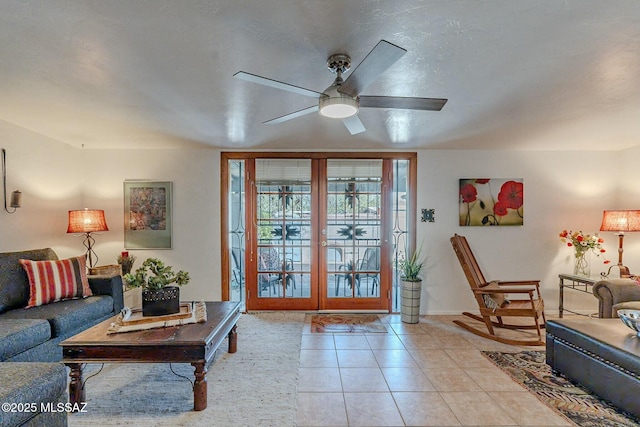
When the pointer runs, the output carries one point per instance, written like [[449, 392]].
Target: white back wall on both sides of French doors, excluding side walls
[[562, 190]]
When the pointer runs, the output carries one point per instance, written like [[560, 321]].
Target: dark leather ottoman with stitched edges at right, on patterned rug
[[602, 355]]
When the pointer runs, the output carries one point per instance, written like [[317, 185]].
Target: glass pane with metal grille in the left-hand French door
[[283, 205]]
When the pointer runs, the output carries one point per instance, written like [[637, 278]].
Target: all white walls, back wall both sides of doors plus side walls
[[562, 190]]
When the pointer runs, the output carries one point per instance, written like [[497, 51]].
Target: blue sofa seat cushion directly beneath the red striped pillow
[[69, 315]]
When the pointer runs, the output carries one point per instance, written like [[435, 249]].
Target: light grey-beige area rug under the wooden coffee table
[[257, 386]]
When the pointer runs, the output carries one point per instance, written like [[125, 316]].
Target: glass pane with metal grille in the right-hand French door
[[352, 235]]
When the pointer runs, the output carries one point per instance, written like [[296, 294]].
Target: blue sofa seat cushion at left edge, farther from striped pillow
[[18, 335]]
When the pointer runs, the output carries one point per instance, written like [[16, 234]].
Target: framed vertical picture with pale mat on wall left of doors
[[148, 214]]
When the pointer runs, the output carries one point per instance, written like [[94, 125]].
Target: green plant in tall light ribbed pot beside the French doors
[[411, 276]]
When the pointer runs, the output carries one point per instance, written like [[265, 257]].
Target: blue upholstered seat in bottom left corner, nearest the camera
[[30, 383]]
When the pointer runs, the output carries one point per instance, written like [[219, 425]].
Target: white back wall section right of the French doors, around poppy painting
[[561, 190]]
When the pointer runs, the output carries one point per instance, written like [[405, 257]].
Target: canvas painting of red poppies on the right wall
[[491, 201]]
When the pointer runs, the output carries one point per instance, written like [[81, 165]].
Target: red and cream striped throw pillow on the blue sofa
[[51, 281]]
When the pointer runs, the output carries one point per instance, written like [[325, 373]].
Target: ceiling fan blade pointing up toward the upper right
[[381, 57]]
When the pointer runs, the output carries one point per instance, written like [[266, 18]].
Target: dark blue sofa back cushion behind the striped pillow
[[14, 285]]
